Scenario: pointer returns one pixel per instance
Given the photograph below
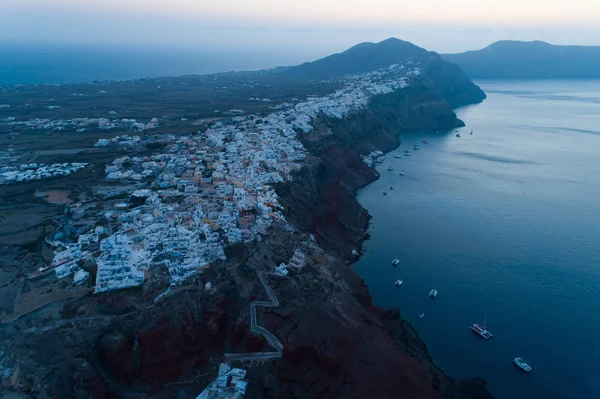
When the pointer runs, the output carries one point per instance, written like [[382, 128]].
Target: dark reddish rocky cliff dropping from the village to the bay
[[370, 352]]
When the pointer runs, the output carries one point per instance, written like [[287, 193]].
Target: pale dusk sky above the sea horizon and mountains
[[311, 27]]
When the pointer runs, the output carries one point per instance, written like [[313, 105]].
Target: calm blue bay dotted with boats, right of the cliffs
[[504, 222]]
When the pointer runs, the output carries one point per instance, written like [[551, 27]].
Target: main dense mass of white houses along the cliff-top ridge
[[216, 188]]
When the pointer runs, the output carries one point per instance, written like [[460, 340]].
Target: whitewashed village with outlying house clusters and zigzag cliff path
[[182, 205]]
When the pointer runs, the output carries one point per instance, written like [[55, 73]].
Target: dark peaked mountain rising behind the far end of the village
[[439, 75]]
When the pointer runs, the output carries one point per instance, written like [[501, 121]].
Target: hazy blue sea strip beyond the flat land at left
[[60, 64]]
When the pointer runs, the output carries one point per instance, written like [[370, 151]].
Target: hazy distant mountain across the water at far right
[[534, 60]]
